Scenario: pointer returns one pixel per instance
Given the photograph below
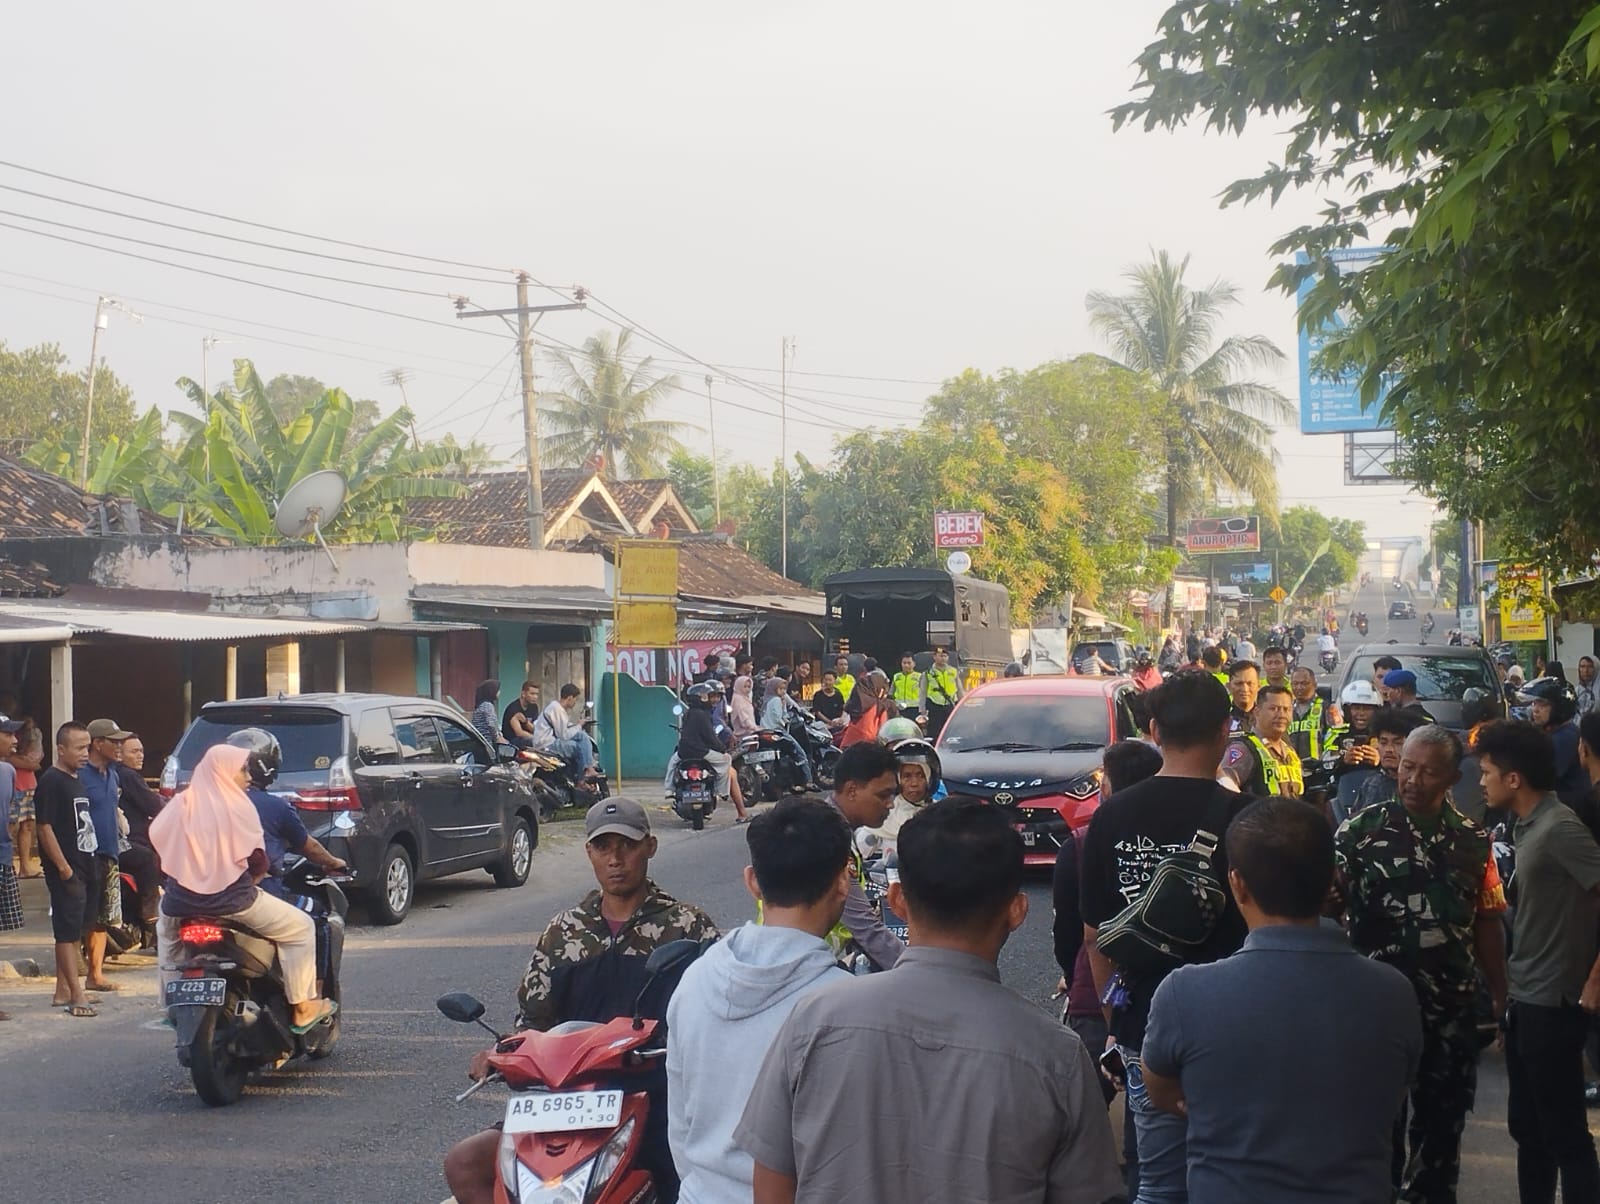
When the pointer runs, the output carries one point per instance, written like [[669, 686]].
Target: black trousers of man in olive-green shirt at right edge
[[1545, 1112]]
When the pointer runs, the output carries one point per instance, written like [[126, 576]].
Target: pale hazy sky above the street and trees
[[905, 190]]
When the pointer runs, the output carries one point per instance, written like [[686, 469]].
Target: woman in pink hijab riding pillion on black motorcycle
[[214, 854]]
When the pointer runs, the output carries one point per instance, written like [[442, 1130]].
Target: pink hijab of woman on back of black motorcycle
[[207, 835]]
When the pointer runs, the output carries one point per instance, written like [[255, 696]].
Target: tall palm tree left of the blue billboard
[[1217, 431]]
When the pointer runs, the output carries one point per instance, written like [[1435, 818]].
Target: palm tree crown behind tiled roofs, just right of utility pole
[[604, 411]]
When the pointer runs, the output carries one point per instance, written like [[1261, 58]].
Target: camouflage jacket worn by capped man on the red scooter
[[582, 973]]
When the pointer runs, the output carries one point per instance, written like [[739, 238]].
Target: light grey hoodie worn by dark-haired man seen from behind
[[721, 1022]]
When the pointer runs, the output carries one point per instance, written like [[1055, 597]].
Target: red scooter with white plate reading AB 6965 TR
[[574, 1126]]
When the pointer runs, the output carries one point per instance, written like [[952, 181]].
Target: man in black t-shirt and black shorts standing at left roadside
[[66, 846]]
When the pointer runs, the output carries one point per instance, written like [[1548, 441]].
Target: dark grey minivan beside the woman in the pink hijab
[[426, 795]]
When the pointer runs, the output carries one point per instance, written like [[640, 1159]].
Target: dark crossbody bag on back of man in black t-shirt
[[1177, 912]]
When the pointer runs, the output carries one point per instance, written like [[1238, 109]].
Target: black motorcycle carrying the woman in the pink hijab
[[228, 1006]]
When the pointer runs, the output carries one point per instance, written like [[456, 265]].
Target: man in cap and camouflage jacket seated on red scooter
[[590, 965]]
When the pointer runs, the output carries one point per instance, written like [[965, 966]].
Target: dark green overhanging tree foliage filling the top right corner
[[1471, 143]]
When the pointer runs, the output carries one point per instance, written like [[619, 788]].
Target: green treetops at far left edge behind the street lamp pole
[[42, 401]]
